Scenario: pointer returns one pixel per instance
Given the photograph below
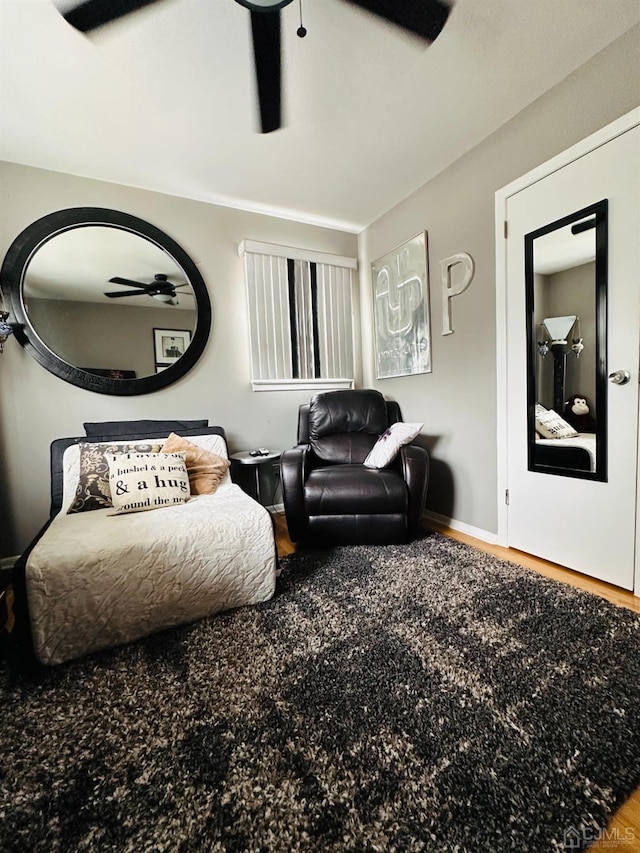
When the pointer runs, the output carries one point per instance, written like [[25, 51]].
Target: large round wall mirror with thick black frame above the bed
[[106, 301]]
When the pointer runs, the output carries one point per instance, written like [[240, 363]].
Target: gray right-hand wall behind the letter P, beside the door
[[457, 401]]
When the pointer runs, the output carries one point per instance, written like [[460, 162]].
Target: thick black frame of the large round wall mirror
[[12, 279]]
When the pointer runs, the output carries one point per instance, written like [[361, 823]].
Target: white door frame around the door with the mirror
[[580, 149]]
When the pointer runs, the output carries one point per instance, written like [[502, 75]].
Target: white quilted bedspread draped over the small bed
[[96, 580]]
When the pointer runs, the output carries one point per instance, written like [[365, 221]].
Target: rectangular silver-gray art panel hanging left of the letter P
[[401, 310]]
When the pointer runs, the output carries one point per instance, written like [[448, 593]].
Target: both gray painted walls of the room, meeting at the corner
[[457, 401]]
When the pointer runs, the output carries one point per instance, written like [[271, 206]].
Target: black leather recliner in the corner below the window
[[330, 497]]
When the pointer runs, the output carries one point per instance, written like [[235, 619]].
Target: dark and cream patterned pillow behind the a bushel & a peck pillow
[[92, 491]]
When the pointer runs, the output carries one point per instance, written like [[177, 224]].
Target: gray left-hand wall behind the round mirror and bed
[[36, 407]]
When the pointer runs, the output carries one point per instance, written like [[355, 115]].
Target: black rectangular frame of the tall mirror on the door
[[600, 212]]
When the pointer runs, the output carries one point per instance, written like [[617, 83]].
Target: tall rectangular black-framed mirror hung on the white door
[[566, 298]]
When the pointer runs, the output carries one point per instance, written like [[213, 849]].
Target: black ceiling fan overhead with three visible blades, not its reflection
[[424, 18]]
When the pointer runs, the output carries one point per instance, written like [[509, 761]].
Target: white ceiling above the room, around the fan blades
[[164, 99]]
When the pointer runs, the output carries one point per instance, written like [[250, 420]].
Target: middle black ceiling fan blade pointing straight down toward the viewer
[[265, 28]]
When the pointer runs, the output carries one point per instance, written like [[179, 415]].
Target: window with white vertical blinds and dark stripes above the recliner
[[300, 317]]
